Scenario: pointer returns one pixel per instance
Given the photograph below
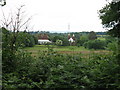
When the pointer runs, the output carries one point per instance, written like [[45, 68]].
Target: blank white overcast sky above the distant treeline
[[57, 15]]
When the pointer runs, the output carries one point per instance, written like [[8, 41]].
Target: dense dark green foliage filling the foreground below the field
[[53, 70]]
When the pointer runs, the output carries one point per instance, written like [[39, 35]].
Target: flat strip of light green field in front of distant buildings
[[62, 49]]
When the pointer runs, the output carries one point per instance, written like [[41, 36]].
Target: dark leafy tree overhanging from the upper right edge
[[110, 16]]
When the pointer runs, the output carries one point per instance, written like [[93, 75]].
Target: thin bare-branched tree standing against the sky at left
[[14, 24]]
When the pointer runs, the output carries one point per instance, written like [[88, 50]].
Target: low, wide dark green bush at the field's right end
[[95, 44]]
